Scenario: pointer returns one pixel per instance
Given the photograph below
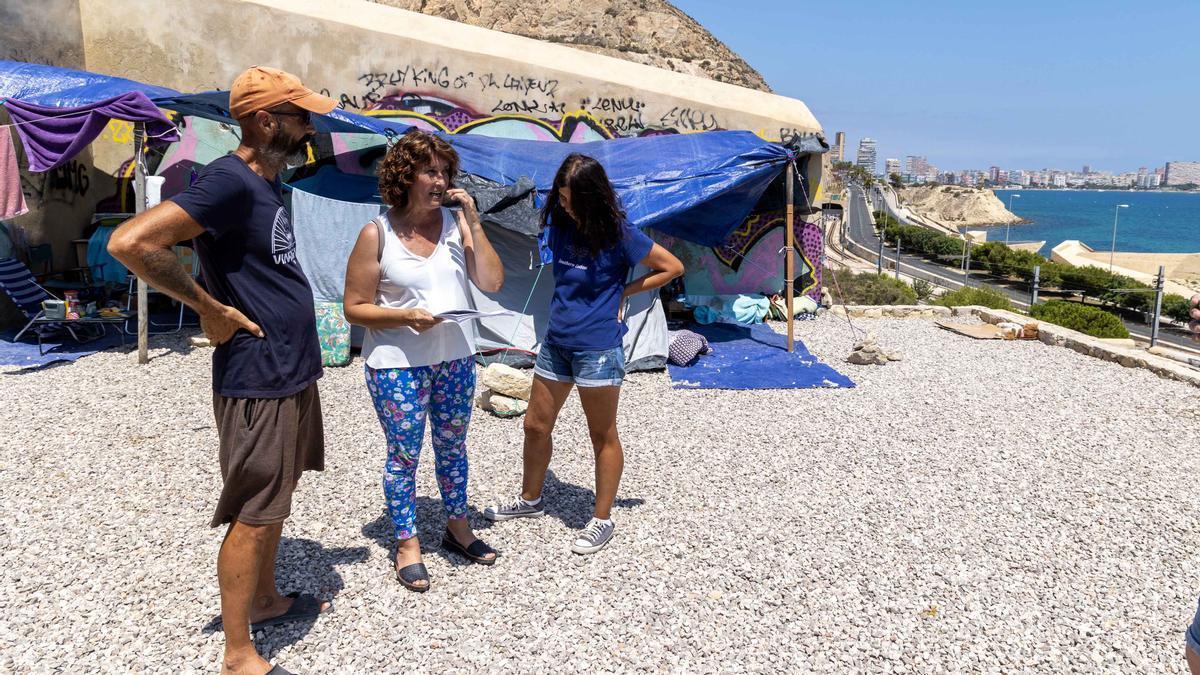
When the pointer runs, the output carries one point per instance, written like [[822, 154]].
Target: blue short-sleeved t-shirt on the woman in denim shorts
[[589, 290]]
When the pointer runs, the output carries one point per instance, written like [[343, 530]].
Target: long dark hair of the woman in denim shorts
[[598, 226]]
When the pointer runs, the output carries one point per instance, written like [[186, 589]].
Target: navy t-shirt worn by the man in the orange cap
[[249, 261]]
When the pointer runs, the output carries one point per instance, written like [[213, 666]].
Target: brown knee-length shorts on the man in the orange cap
[[266, 446]]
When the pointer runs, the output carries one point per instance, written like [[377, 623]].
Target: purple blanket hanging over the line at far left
[[53, 136]]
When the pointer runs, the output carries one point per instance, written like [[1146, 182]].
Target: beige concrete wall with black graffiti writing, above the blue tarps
[[359, 51]]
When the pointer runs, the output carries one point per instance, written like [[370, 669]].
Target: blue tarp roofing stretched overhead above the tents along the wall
[[697, 187]]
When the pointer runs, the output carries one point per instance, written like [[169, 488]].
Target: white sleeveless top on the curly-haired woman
[[436, 284]]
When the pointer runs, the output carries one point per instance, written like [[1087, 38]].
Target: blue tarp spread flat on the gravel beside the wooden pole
[[754, 357]]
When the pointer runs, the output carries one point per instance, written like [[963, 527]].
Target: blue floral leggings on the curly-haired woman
[[404, 399]]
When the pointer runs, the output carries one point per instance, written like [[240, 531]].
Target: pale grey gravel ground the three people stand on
[[980, 507]]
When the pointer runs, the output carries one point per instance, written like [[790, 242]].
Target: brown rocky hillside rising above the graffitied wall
[[645, 32]]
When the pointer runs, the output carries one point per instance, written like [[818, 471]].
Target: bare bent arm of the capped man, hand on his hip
[[145, 246]]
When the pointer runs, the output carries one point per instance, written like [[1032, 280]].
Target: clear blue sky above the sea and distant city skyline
[[1022, 85]]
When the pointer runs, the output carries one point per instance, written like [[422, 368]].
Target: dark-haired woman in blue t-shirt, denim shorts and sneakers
[[595, 250]]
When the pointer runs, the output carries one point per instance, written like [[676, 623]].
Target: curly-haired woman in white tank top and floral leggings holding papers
[[410, 265]]
